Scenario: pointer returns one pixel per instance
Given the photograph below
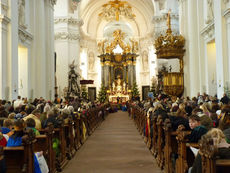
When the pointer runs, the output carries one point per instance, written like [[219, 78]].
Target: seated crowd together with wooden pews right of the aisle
[[201, 118]]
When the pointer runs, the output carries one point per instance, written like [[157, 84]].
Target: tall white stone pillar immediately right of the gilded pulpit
[[188, 29]]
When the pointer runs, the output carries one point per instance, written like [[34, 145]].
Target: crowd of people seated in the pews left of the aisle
[[20, 118]]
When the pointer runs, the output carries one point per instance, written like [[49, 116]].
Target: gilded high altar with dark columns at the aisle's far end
[[118, 69]]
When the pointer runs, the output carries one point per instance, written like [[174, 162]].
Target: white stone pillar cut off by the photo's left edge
[[4, 21]]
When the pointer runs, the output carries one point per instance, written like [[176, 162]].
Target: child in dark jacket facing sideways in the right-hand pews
[[198, 130]]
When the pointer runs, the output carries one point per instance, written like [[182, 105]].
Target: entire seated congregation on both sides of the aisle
[[204, 117]]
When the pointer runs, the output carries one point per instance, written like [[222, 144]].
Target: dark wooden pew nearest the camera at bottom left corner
[[20, 159]]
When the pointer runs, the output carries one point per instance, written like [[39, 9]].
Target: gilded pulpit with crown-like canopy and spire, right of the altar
[[168, 47]]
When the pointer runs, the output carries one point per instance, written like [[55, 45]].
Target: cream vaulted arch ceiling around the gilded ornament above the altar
[[98, 28]]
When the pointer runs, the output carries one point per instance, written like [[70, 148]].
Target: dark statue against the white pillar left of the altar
[[73, 87]]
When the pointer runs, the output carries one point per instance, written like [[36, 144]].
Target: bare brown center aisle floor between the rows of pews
[[114, 147]]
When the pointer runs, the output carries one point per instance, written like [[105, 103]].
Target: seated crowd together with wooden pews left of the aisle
[[22, 121]]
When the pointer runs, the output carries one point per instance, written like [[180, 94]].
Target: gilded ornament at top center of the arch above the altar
[[114, 9]]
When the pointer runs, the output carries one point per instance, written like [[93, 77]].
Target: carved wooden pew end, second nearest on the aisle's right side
[[185, 155]]
